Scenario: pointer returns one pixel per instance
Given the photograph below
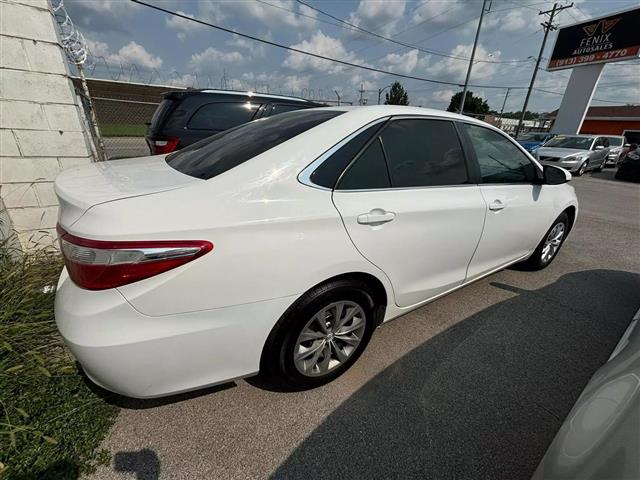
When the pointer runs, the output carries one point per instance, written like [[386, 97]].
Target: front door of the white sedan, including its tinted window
[[520, 209]]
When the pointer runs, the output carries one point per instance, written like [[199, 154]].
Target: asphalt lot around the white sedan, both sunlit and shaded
[[474, 385]]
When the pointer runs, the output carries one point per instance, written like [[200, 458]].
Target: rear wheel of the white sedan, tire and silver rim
[[320, 336]]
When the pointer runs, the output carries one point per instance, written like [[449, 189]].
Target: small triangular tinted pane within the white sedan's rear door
[[368, 171]]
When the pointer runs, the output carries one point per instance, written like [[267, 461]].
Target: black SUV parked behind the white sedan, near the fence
[[184, 117]]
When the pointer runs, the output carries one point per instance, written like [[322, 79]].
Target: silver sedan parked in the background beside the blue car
[[576, 153]]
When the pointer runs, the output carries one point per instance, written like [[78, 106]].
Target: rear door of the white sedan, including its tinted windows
[[410, 207]]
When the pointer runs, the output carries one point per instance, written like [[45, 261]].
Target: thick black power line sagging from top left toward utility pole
[[311, 54]]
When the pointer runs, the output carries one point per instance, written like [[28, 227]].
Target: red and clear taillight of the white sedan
[[98, 265]]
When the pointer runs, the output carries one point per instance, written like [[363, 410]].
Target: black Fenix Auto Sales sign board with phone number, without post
[[607, 39]]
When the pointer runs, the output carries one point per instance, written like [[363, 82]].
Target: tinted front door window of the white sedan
[[500, 160]]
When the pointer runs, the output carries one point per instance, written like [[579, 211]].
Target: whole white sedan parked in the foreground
[[277, 247]]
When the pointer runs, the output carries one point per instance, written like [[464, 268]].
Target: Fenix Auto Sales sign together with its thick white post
[[586, 47]]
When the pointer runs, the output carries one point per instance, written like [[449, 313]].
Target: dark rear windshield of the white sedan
[[219, 153]]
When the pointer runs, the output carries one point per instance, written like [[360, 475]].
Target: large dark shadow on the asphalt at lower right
[[482, 399]]
